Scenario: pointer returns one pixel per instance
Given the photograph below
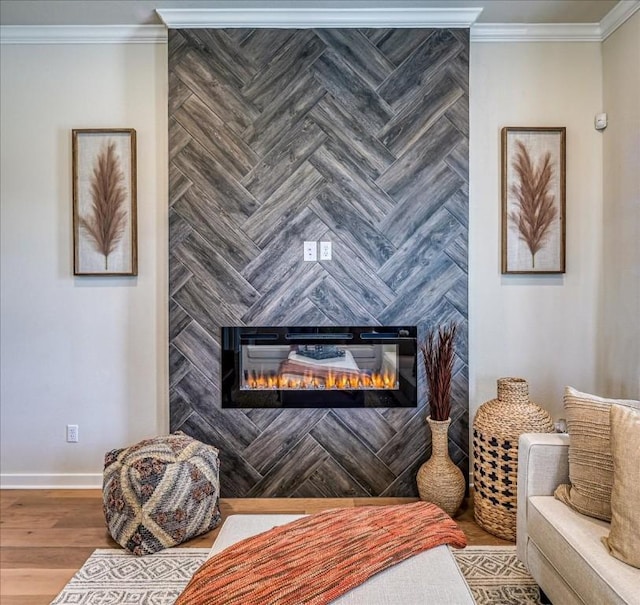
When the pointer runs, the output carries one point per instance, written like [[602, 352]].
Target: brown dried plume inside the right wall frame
[[536, 210]]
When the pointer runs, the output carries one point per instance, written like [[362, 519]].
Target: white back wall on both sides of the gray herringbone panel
[[92, 351]]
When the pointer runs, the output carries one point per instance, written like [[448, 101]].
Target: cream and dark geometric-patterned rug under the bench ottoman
[[495, 576]]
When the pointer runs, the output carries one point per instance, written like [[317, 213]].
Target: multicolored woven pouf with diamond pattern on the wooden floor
[[161, 492]]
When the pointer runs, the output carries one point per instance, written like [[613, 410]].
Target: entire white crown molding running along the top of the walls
[[335, 17]]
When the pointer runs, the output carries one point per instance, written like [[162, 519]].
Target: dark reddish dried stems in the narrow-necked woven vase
[[437, 352]]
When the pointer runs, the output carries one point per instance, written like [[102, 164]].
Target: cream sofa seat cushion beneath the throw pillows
[[571, 542]]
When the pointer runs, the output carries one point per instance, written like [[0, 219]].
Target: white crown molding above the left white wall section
[[83, 34]]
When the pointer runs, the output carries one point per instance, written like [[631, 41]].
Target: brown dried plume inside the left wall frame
[[107, 219]]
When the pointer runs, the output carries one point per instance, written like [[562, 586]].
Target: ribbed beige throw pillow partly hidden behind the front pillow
[[590, 459]]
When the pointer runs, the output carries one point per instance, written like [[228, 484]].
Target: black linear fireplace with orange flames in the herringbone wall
[[317, 367]]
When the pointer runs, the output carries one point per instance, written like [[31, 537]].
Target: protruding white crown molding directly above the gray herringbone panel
[[302, 18]]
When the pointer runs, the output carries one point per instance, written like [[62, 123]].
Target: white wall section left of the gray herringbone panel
[[88, 351]]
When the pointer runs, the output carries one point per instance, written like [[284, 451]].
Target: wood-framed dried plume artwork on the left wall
[[105, 238]]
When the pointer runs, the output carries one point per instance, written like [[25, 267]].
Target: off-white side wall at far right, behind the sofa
[[619, 351]]
